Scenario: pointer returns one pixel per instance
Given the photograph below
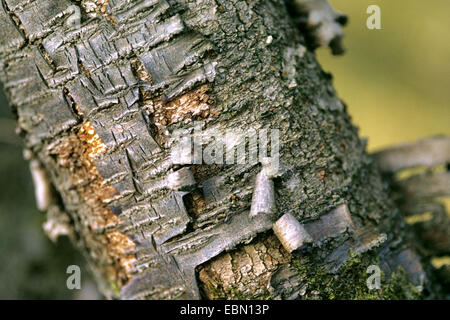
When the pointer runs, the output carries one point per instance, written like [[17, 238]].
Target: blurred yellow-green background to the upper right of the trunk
[[395, 81]]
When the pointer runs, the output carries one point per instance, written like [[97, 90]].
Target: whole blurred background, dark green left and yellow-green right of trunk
[[395, 81]]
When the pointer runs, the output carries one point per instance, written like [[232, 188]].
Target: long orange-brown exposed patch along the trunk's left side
[[75, 153]]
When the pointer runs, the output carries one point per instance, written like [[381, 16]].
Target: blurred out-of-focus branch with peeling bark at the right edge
[[418, 194]]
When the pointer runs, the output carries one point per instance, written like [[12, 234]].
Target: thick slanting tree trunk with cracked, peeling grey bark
[[98, 100]]
